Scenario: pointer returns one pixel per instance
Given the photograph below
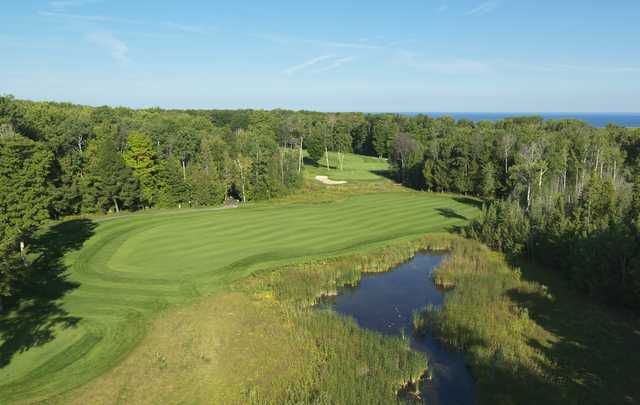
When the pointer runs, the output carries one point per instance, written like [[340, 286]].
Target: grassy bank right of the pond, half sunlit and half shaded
[[528, 338]]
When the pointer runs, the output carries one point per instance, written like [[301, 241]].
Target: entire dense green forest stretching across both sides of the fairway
[[560, 192]]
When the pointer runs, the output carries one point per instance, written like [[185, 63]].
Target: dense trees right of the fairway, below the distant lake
[[560, 192]]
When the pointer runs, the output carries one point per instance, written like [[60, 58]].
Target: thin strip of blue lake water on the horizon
[[598, 120]]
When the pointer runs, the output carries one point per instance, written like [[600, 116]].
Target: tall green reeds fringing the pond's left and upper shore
[[350, 364]]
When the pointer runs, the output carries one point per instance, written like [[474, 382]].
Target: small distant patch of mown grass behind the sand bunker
[[356, 168]]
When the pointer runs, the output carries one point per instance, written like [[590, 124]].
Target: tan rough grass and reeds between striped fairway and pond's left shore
[[332, 359]]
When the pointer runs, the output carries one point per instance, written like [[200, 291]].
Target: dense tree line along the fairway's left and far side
[[60, 159]]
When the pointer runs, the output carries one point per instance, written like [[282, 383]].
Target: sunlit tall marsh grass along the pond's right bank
[[480, 318]]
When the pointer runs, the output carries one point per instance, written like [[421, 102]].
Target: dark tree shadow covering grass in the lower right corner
[[596, 348]]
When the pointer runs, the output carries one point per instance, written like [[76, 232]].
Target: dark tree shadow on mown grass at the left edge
[[35, 311]]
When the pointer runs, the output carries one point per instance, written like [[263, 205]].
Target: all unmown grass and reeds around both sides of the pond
[[497, 314]]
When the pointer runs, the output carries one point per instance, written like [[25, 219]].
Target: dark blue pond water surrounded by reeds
[[385, 302]]
